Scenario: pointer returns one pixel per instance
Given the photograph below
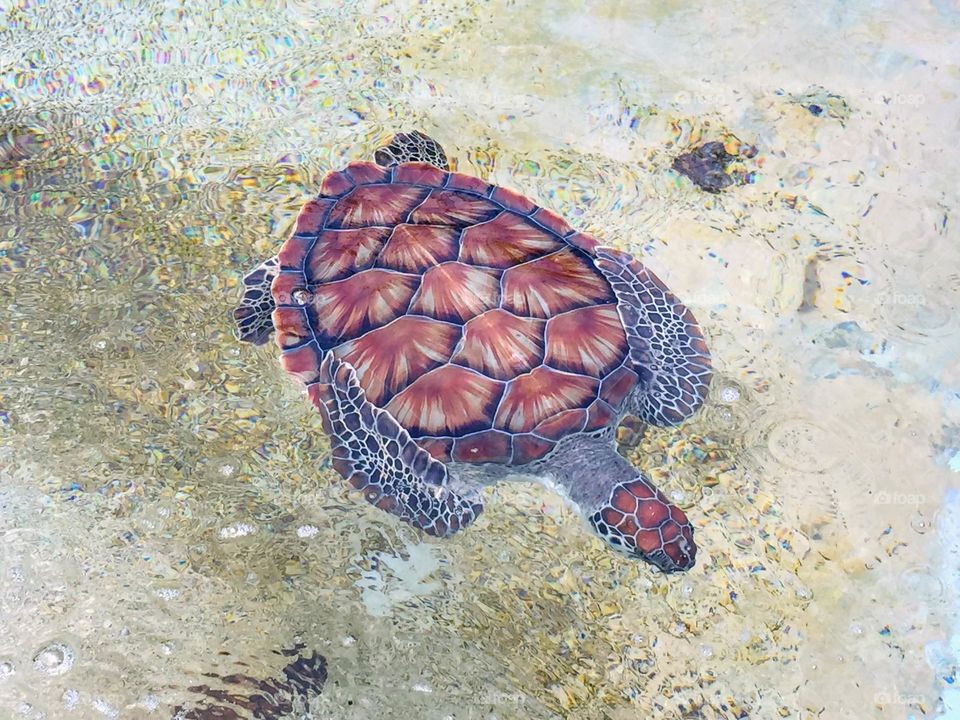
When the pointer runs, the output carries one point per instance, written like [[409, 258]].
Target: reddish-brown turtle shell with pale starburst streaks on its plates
[[475, 317]]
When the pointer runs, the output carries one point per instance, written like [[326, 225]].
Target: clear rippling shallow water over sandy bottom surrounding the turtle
[[166, 507]]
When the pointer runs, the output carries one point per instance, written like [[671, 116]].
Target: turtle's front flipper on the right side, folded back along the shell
[[666, 346]]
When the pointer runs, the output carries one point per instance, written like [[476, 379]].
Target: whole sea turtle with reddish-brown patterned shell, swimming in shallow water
[[452, 333]]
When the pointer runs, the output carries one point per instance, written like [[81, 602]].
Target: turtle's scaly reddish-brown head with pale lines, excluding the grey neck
[[639, 520]]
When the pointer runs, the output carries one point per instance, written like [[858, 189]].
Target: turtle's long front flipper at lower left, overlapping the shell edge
[[379, 458]]
